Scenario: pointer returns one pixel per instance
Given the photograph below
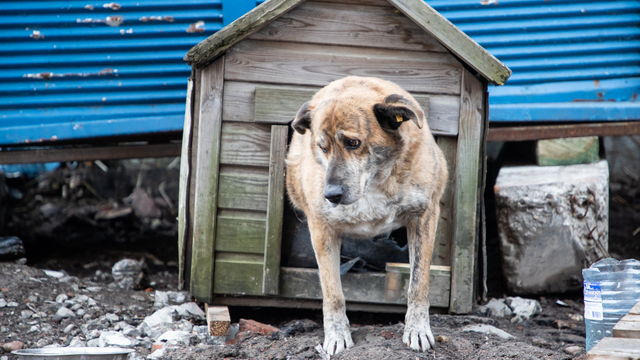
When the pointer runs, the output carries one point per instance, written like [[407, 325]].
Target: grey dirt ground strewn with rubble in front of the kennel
[[376, 336]]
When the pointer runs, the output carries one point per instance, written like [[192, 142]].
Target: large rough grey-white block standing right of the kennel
[[545, 216]]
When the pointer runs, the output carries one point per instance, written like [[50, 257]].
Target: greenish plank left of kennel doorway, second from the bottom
[[240, 231]]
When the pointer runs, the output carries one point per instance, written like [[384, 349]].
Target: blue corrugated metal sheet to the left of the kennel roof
[[81, 69]]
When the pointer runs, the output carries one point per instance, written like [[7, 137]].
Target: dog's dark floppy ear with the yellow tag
[[396, 110]]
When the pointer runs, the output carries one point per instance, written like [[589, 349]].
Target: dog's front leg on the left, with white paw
[[326, 245]]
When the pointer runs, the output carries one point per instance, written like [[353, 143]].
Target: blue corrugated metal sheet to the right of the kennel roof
[[572, 60]]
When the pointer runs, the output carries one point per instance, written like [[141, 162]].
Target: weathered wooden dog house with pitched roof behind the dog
[[248, 81]]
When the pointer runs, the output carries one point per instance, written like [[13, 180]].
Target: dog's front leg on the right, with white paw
[[421, 236]]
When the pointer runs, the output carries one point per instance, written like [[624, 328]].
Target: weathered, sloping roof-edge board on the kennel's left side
[[215, 45]]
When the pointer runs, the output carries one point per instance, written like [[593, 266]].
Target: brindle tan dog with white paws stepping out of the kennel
[[362, 162]]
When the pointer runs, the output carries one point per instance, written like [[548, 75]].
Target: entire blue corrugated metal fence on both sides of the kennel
[[79, 69]]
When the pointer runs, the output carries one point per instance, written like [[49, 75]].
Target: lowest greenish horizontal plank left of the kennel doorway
[[239, 274]]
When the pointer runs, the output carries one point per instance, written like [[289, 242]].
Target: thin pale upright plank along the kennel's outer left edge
[[183, 192]]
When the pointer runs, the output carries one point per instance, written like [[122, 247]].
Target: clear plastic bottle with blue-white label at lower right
[[611, 289]]
